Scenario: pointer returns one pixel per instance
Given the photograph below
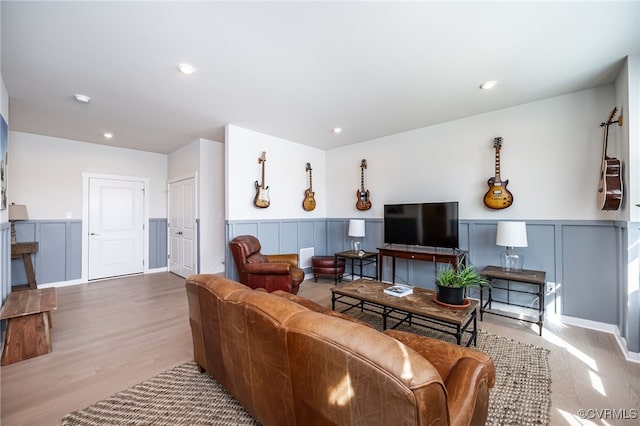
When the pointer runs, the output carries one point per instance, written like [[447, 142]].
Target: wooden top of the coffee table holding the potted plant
[[419, 303]]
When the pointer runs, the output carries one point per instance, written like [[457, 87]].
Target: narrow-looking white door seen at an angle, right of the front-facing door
[[182, 227]]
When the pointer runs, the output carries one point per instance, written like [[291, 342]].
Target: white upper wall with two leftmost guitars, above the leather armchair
[[285, 175]]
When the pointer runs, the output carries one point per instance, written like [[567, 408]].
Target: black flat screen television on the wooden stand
[[422, 224]]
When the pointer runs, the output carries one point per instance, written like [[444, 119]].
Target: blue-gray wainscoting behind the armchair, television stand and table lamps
[[580, 258]]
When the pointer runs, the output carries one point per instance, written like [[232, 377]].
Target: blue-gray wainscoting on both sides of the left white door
[[59, 256]]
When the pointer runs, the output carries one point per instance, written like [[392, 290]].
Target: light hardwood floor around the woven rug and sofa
[[109, 335]]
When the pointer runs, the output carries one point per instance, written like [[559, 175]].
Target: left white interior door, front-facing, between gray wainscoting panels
[[116, 228]]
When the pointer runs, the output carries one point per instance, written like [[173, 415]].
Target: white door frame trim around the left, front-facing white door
[[84, 277]]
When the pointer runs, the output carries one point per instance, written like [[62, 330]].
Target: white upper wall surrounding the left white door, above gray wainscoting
[[46, 173]]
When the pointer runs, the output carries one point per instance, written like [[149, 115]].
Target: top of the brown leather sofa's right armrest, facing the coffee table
[[443, 355]]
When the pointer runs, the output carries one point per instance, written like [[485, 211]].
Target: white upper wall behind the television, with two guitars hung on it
[[551, 155]]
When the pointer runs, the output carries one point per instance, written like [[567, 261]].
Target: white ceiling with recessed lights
[[295, 70]]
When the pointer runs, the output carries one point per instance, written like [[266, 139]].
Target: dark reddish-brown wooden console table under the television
[[426, 254]]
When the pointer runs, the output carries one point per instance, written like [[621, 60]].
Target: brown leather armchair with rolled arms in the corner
[[271, 272]]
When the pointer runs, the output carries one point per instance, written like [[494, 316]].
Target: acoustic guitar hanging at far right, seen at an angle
[[610, 186]]
